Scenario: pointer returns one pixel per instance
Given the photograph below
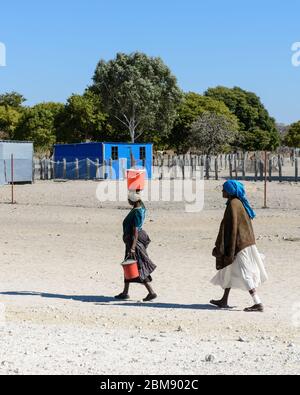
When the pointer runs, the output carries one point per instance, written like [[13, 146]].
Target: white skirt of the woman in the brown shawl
[[247, 271]]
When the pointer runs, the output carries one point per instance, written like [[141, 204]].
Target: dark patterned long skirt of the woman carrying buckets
[[145, 265]]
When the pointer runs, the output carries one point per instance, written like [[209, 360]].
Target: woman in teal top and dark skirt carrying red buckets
[[136, 241]]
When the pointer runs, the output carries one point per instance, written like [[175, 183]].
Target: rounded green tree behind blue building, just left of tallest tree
[[82, 119]]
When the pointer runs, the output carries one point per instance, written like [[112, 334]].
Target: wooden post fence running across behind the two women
[[243, 166]]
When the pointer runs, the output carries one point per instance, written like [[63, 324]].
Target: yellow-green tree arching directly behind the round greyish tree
[[191, 108]]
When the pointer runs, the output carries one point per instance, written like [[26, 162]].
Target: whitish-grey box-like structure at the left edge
[[22, 161]]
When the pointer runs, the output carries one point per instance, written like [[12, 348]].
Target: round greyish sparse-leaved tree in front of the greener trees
[[211, 132]]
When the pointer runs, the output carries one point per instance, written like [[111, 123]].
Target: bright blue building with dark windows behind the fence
[[100, 160]]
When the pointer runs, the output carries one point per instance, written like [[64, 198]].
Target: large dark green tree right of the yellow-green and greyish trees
[[253, 117]]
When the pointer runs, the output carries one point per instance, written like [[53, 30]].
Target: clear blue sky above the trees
[[53, 46]]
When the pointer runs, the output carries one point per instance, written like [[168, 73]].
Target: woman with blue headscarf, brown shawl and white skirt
[[238, 261]]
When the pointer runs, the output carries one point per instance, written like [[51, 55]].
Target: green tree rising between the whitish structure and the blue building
[[37, 124]]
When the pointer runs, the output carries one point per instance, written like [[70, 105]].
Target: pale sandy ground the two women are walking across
[[60, 254]]
